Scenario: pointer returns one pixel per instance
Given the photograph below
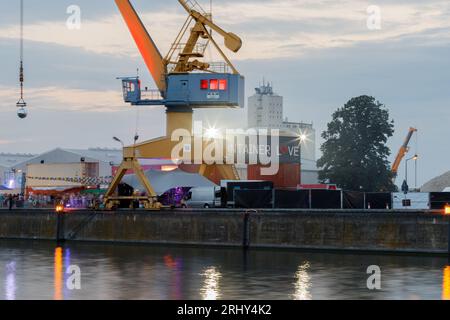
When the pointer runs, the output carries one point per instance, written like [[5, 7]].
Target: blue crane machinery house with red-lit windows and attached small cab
[[195, 90]]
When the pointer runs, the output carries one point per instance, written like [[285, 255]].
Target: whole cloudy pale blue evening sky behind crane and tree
[[317, 53]]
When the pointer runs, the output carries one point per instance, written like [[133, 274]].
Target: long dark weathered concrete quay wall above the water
[[370, 230]]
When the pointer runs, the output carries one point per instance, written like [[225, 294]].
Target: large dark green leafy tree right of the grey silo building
[[355, 151]]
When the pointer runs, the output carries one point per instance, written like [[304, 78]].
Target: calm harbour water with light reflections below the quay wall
[[37, 270]]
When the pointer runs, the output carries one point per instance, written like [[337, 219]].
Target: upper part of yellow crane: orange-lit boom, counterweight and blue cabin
[[182, 86]]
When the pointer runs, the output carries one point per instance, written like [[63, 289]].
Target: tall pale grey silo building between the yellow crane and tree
[[265, 111]]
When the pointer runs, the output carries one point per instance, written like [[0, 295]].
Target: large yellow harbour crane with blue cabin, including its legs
[[184, 82]]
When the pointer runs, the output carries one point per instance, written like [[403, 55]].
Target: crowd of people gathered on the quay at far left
[[71, 200]]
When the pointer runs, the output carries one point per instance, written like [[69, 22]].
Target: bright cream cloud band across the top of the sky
[[270, 29]]
